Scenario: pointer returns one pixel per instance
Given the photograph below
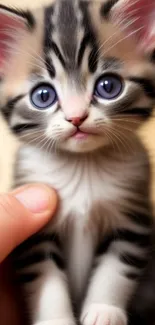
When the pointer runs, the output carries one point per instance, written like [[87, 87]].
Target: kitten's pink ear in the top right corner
[[138, 18]]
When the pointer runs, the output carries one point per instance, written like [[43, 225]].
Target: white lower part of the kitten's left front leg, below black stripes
[[52, 300]]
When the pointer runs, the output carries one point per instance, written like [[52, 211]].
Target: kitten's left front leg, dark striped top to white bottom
[[41, 273]]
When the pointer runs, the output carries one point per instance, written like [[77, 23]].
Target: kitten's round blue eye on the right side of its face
[[108, 87]]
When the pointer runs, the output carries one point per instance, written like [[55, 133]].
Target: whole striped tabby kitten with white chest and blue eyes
[[77, 80]]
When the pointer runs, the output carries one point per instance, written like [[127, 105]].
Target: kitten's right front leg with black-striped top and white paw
[[115, 277]]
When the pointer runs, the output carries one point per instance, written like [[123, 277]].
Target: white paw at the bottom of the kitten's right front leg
[[101, 314]]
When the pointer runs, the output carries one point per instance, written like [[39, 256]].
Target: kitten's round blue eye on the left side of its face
[[43, 96]]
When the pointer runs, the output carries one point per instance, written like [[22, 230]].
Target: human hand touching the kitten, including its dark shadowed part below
[[22, 213]]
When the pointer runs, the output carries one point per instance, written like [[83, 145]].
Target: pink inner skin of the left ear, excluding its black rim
[[8, 23]]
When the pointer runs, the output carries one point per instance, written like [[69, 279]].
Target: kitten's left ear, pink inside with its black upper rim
[[12, 22]]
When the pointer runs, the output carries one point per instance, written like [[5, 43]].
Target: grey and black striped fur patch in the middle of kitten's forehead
[[69, 32]]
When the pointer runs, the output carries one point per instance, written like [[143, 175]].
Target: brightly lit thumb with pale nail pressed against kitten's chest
[[24, 212]]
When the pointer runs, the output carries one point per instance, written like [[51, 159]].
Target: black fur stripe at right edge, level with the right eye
[[146, 84]]
